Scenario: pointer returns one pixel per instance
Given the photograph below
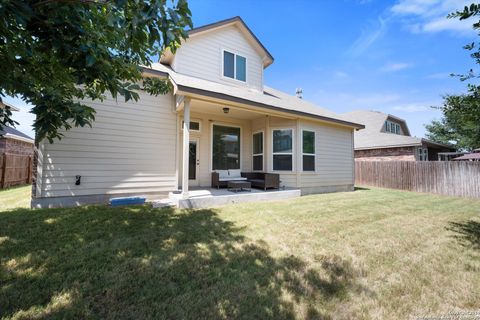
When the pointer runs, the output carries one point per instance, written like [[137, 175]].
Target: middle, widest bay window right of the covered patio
[[282, 149]]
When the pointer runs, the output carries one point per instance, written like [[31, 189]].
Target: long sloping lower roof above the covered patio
[[268, 99]]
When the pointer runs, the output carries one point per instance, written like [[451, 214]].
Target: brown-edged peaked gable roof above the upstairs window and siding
[[235, 21]]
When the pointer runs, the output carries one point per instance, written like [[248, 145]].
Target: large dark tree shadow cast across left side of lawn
[[139, 262]]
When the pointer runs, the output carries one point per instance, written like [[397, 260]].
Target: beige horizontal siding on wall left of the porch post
[[128, 151]]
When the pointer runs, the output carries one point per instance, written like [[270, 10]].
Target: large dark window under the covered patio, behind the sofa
[[225, 148]]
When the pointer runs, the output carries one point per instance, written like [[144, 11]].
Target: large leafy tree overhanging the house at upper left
[[55, 53]]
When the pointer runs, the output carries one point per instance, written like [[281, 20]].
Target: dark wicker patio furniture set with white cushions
[[236, 181]]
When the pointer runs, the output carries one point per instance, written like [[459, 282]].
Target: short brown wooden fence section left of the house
[[15, 169]]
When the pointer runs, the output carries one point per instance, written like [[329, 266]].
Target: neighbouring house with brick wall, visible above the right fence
[[387, 137]]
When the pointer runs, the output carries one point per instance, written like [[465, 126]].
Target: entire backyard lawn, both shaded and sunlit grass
[[368, 254]]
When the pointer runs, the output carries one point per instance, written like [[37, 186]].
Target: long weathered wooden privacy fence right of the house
[[454, 178]]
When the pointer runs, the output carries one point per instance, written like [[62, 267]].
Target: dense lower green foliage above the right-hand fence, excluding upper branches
[[460, 122]]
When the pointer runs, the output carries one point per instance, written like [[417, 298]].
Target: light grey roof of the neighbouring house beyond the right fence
[[372, 136]]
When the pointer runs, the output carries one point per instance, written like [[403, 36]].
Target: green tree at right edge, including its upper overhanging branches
[[461, 113]]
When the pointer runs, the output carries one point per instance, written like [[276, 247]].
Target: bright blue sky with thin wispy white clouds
[[390, 56]]
